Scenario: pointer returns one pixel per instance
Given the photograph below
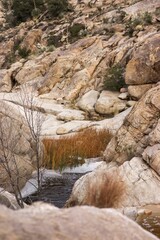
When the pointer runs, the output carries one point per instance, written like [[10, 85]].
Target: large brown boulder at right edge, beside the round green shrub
[[144, 67]]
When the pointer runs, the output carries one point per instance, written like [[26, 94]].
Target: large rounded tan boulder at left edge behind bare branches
[[16, 147]]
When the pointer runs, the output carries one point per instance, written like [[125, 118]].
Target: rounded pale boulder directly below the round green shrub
[[109, 103]]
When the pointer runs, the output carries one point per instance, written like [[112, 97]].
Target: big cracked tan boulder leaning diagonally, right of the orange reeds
[[132, 138]]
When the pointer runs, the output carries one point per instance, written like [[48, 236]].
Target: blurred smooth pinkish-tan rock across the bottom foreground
[[58, 224]]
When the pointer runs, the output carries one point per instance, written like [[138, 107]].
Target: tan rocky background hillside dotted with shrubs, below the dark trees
[[65, 58]]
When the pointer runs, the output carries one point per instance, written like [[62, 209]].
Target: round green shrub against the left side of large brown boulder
[[114, 78]]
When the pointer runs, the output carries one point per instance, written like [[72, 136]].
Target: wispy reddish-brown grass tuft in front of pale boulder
[[107, 192]]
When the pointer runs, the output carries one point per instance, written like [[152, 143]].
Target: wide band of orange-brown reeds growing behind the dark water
[[71, 150]]
